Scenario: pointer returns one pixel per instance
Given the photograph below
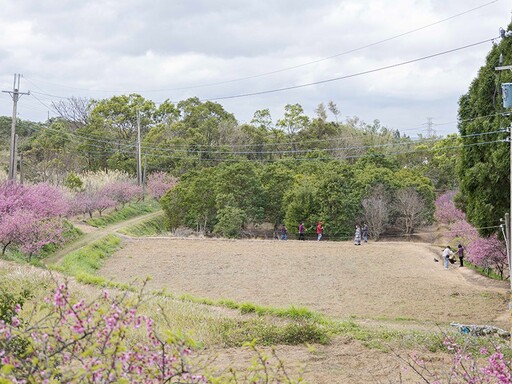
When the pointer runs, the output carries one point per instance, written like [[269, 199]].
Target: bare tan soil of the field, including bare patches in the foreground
[[384, 284]]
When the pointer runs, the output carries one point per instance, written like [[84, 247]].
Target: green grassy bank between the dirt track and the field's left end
[[87, 260]]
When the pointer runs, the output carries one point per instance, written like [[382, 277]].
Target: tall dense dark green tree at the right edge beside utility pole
[[484, 163]]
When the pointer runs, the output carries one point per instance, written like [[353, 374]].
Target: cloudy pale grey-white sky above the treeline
[[253, 54]]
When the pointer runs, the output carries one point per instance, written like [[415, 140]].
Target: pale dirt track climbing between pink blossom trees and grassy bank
[[92, 234]]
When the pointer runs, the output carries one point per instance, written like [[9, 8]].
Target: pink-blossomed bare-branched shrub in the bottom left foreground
[[81, 342]]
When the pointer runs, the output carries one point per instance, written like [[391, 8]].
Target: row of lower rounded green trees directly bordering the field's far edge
[[226, 198]]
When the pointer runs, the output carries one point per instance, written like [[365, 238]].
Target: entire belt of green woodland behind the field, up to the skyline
[[295, 168]]
